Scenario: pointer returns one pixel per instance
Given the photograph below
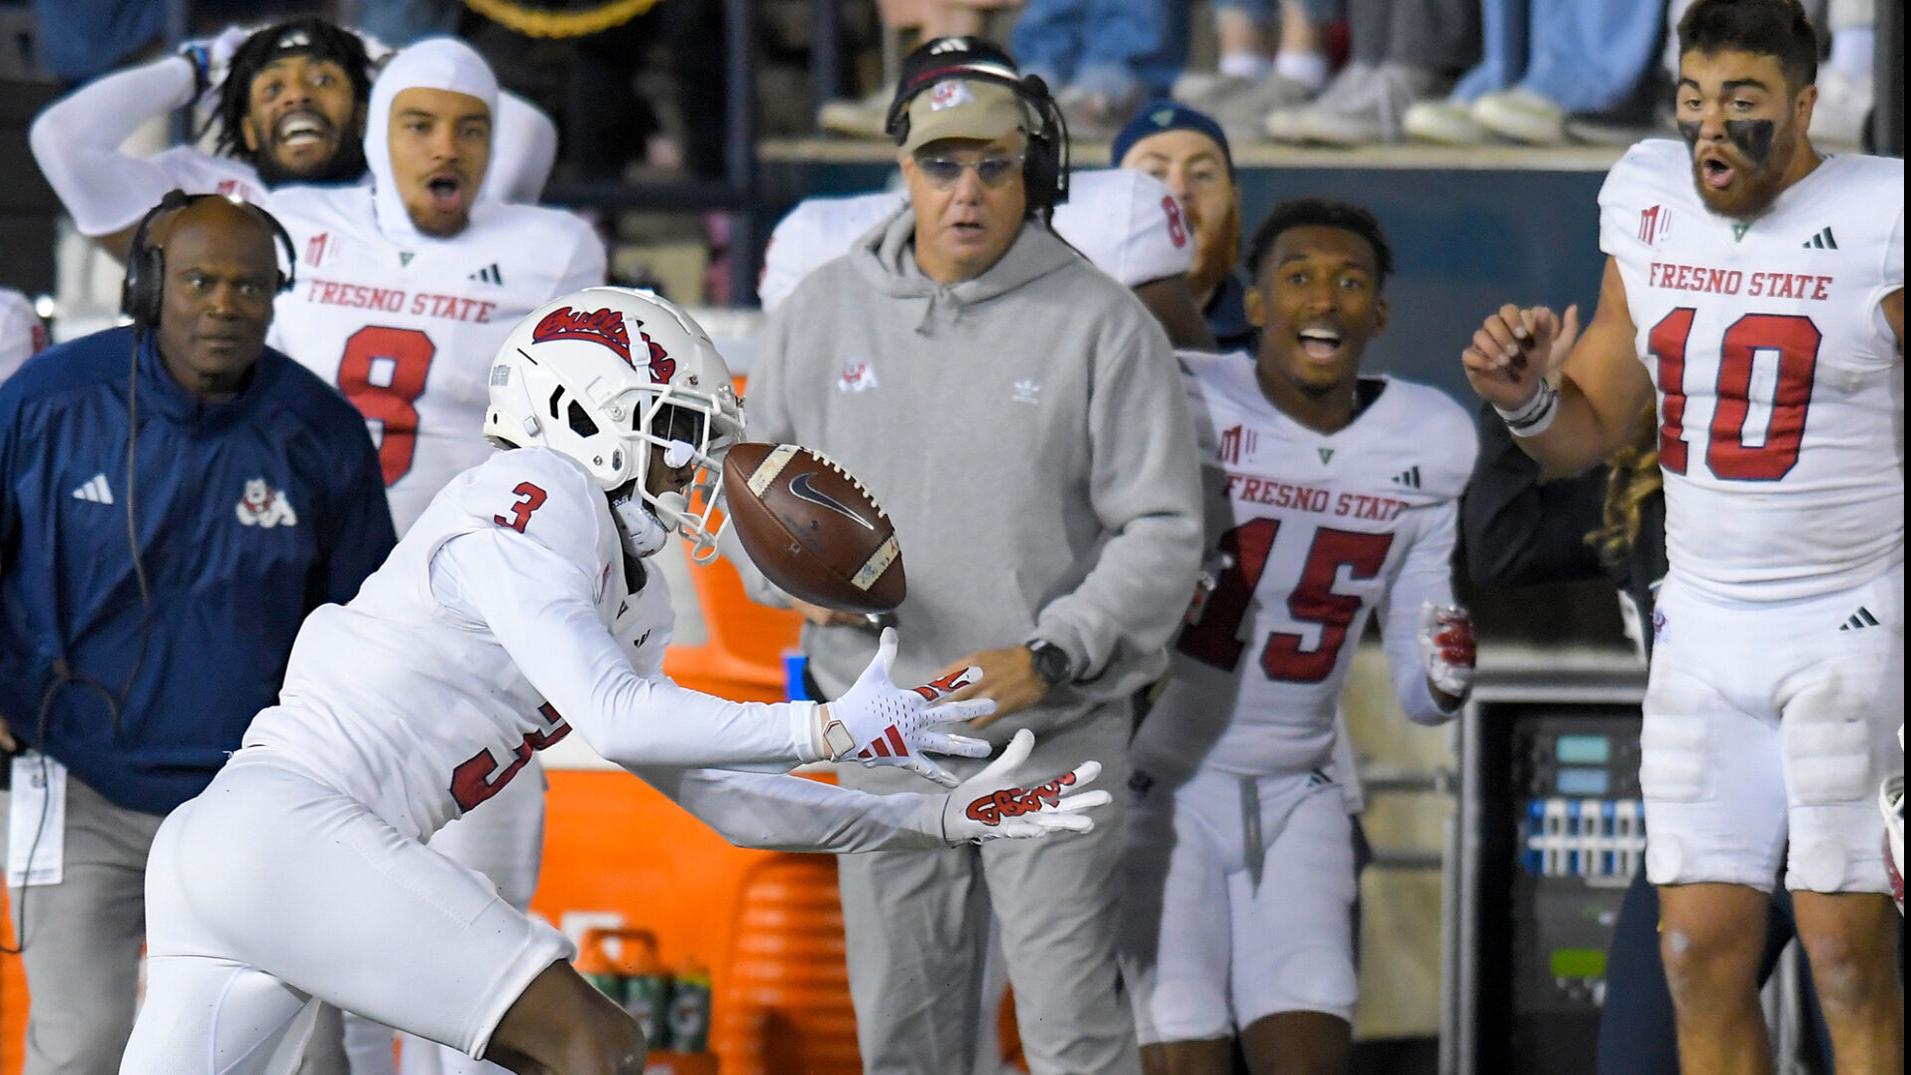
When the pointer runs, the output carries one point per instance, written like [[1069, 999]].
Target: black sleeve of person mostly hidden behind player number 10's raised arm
[[1520, 532]]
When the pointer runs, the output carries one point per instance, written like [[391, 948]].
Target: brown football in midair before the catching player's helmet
[[813, 530]]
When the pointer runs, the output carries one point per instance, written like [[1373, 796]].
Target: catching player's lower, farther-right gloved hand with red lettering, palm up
[[993, 807]]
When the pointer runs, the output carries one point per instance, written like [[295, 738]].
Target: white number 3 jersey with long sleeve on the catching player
[[486, 637]]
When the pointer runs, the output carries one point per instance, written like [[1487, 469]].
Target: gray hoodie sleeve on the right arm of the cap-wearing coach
[[1146, 490]]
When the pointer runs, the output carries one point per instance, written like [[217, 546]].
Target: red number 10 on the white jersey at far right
[[1728, 455]]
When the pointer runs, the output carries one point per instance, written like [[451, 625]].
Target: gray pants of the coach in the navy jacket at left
[[81, 940]]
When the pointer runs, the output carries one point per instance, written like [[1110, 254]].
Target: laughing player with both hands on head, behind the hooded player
[[288, 108]]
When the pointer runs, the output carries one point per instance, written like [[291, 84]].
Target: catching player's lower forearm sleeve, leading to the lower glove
[[794, 814]]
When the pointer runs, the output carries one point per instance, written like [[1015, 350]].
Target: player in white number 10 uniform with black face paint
[[1755, 289]]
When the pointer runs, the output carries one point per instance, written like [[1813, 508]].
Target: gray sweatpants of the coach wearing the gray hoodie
[[918, 931]]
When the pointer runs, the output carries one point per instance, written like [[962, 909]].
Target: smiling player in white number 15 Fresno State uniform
[[1333, 501]]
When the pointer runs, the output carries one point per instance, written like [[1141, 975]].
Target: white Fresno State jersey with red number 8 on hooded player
[[408, 331]]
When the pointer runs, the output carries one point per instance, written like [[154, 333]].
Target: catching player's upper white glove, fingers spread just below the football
[[884, 725]]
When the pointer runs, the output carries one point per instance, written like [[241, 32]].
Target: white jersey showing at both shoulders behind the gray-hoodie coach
[[1127, 222]]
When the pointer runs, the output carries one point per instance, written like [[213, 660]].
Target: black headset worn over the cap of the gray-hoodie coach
[[976, 60]]
